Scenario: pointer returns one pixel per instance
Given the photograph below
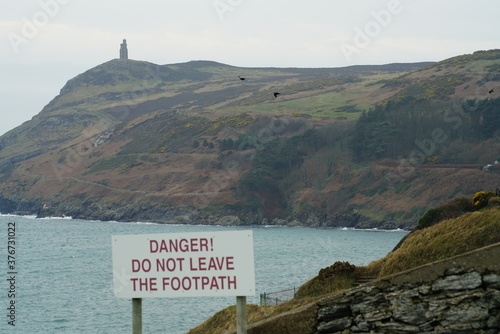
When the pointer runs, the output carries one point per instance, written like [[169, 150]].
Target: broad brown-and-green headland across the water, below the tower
[[131, 140]]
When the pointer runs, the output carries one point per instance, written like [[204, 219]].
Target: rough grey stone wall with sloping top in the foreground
[[457, 295]]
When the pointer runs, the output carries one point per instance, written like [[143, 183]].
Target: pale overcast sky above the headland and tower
[[44, 43]]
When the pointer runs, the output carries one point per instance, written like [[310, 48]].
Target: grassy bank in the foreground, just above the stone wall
[[440, 241]]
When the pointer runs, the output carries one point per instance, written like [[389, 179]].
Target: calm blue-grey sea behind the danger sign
[[63, 272]]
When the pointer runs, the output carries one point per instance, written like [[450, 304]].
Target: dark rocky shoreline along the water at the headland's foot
[[168, 215]]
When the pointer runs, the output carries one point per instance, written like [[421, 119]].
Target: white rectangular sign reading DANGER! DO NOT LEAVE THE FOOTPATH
[[183, 264]]
